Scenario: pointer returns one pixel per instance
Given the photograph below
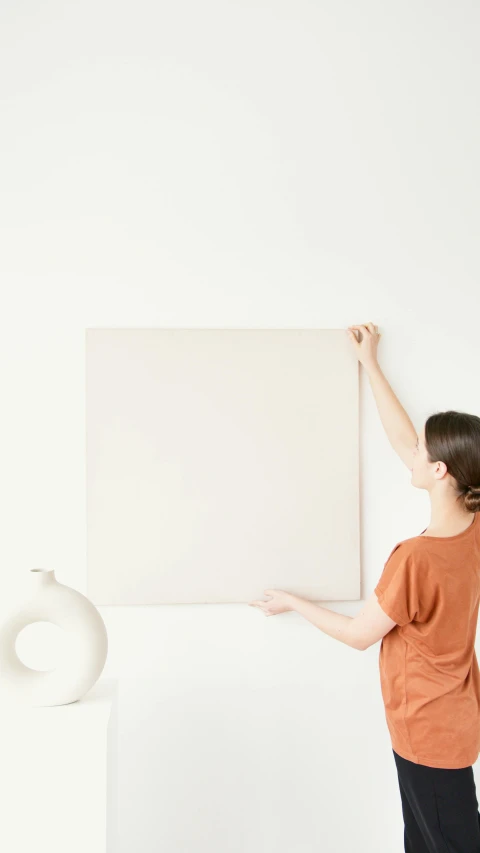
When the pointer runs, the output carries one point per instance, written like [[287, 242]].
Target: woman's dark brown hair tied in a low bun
[[454, 438]]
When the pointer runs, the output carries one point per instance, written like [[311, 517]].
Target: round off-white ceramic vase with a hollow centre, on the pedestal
[[51, 601]]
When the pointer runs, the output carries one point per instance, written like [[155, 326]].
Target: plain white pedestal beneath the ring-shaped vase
[[58, 775]]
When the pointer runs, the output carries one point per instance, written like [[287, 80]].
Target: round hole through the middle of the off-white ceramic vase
[[42, 646]]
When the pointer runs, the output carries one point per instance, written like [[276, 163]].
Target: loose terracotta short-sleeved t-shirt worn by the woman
[[429, 673]]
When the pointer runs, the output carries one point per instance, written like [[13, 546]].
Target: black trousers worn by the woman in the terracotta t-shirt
[[440, 808]]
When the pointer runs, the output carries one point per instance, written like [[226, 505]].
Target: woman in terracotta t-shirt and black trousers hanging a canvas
[[424, 609]]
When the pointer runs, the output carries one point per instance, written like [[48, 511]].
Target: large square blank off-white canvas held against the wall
[[221, 462]]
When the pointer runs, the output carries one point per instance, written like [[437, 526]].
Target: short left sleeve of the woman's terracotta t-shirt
[[397, 590]]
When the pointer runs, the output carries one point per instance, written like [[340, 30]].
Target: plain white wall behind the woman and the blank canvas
[[234, 164]]
